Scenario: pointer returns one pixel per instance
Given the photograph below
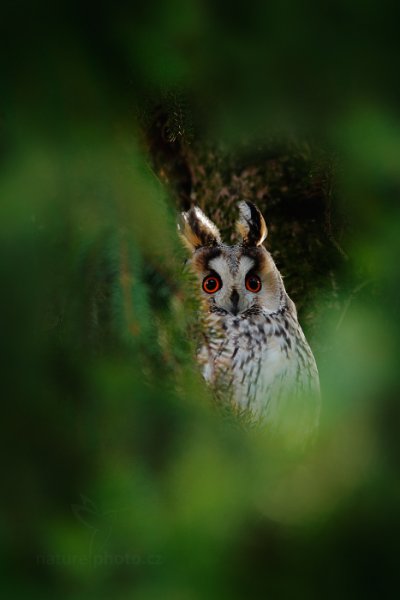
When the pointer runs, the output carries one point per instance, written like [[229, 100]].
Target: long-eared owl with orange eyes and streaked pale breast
[[254, 349]]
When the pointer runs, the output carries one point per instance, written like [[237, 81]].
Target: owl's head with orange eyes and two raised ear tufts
[[233, 279]]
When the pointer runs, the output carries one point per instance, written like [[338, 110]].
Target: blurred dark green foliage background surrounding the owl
[[120, 479]]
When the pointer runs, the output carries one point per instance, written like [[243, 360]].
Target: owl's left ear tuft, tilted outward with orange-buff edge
[[197, 230]]
